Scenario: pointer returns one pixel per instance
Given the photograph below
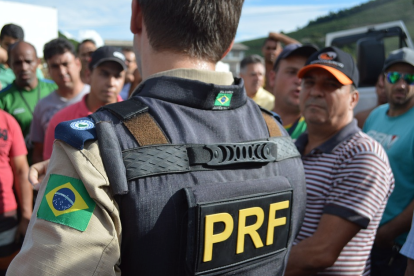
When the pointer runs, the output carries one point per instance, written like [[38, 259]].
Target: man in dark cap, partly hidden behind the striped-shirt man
[[286, 86]]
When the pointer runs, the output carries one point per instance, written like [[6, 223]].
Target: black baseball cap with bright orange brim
[[332, 59]]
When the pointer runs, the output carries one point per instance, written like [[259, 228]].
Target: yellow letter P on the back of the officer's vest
[[210, 238]]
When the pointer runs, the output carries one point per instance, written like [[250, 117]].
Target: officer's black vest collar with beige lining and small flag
[[208, 90]]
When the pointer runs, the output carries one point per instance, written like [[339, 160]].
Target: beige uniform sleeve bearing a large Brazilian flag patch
[[52, 245]]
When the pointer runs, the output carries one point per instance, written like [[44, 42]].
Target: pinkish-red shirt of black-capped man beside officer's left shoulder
[[74, 111]]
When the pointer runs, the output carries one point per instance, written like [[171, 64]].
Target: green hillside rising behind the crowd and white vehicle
[[371, 12]]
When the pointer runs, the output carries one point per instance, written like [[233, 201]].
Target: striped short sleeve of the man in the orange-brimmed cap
[[363, 184]]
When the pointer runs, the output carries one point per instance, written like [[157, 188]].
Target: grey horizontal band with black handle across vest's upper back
[[164, 159]]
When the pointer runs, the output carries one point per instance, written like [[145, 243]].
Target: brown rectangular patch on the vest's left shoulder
[[146, 130]]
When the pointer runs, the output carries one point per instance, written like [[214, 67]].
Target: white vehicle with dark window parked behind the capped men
[[370, 46]]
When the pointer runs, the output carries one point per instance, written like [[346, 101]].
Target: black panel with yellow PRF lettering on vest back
[[243, 221]]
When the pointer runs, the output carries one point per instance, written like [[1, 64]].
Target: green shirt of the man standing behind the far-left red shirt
[[21, 103]]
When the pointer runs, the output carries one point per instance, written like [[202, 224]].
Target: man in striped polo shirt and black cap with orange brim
[[348, 177]]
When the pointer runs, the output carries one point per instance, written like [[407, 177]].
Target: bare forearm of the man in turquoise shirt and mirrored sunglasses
[[388, 232]]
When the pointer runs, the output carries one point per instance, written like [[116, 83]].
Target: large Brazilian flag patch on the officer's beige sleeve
[[66, 202]]
